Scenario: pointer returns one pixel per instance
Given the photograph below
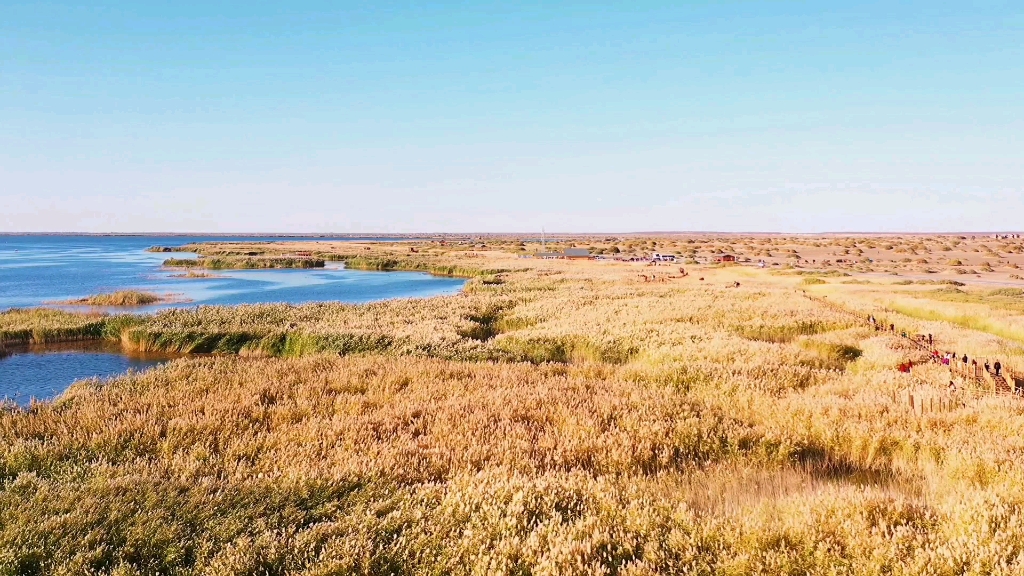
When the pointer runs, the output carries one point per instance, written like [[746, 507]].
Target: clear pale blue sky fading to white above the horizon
[[418, 117]]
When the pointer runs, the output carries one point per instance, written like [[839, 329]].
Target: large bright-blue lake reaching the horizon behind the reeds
[[38, 270]]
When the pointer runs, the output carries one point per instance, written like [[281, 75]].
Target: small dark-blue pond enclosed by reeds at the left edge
[[44, 373]]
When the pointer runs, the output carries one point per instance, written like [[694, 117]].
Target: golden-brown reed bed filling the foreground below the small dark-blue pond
[[382, 466]]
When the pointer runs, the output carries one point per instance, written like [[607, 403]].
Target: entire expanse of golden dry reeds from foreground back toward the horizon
[[556, 419]]
